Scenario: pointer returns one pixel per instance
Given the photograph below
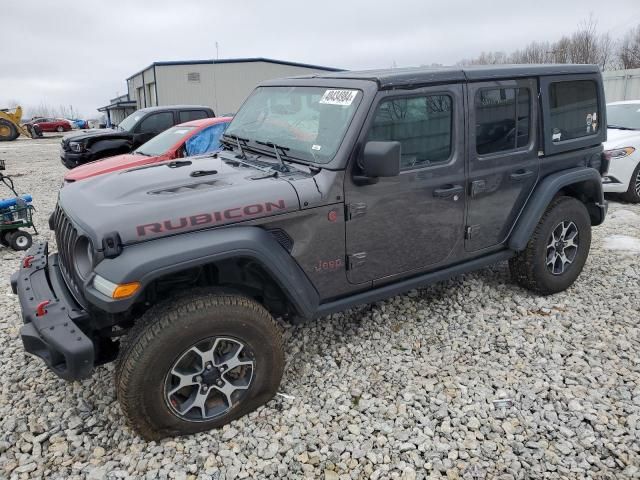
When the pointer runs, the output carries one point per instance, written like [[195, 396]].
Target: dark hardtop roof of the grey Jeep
[[404, 77]]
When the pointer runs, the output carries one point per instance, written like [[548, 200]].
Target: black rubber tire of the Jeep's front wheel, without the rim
[[166, 330]]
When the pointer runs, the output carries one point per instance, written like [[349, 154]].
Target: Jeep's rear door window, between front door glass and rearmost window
[[503, 119]]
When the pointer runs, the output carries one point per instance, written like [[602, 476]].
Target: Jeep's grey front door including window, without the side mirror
[[405, 224]]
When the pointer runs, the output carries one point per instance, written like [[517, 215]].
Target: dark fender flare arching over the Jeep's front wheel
[[147, 261]]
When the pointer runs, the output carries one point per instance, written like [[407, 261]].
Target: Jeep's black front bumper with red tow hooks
[[51, 330]]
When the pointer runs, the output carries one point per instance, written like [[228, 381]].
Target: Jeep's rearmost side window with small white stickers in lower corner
[[573, 109]]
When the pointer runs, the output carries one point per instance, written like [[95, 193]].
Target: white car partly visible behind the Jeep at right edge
[[623, 146]]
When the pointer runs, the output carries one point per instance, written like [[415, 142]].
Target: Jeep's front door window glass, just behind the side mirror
[[423, 125]]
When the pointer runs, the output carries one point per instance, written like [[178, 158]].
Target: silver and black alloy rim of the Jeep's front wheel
[[209, 378]]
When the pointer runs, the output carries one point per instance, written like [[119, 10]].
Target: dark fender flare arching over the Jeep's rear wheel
[[588, 180]]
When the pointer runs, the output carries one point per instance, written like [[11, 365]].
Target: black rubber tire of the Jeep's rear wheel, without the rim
[[529, 269]]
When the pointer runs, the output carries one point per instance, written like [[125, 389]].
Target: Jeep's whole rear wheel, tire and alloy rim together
[[557, 250]]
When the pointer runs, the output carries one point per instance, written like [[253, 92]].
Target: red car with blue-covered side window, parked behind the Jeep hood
[[190, 138]]
